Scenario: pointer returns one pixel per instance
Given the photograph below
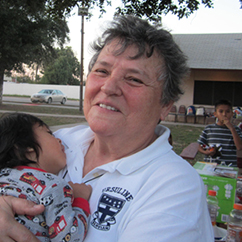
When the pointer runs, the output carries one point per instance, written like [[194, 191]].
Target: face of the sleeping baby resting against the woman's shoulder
[[52, 157]]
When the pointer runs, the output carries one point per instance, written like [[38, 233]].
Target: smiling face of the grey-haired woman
[[122, 95]]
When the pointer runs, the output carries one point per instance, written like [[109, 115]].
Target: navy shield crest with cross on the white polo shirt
[[108, 208]]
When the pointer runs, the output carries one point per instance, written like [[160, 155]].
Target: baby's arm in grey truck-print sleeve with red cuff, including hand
[[67, 218]]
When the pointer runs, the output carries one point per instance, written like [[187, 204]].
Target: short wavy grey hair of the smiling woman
[[133, 30]]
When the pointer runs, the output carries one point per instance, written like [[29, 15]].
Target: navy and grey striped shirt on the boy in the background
[[215, 135]]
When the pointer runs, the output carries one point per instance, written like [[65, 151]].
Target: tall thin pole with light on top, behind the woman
[[82, 11]]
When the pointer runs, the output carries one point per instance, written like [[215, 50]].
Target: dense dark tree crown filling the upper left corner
[[28, 33]]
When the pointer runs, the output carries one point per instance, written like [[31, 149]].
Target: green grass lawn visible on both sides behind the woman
[[182, 135]]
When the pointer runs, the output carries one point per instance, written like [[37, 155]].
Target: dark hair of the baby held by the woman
[[16, 137]]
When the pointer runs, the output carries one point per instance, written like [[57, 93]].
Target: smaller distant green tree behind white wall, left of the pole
[[65, 69]]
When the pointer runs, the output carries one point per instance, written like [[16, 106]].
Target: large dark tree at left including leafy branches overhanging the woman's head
[[29, 29]]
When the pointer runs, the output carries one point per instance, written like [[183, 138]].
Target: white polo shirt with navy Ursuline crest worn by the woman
[[153, 195]]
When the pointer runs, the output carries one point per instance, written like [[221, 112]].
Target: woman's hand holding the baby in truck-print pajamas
[[10, 229]]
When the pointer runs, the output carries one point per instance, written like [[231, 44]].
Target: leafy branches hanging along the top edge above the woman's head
[[150, 9]]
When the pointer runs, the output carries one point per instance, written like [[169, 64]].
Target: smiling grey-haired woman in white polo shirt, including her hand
[[142, 190]]
